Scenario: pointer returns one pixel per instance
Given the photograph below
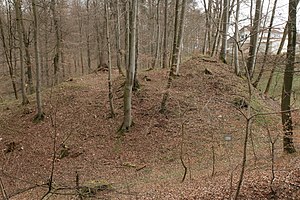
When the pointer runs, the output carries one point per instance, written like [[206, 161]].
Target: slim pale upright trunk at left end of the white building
[[237, 39]]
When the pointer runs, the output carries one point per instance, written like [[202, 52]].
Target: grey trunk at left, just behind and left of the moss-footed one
[[19, 29]]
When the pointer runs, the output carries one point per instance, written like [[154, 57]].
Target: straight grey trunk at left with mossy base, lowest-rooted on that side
[[40, 115]]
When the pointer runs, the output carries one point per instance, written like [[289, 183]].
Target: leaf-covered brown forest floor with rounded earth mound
[[202, 129]]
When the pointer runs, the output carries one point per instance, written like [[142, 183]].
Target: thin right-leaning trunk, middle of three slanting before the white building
[[267, 46]]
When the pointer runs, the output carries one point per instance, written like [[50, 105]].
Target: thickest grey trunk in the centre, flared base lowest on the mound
[[127, 121]]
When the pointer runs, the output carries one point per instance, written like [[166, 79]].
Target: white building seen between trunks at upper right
[[275, 39]]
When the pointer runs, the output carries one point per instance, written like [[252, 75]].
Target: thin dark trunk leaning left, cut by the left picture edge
[[8, 59]]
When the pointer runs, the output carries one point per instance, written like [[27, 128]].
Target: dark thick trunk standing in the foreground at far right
[[288, 144]]
